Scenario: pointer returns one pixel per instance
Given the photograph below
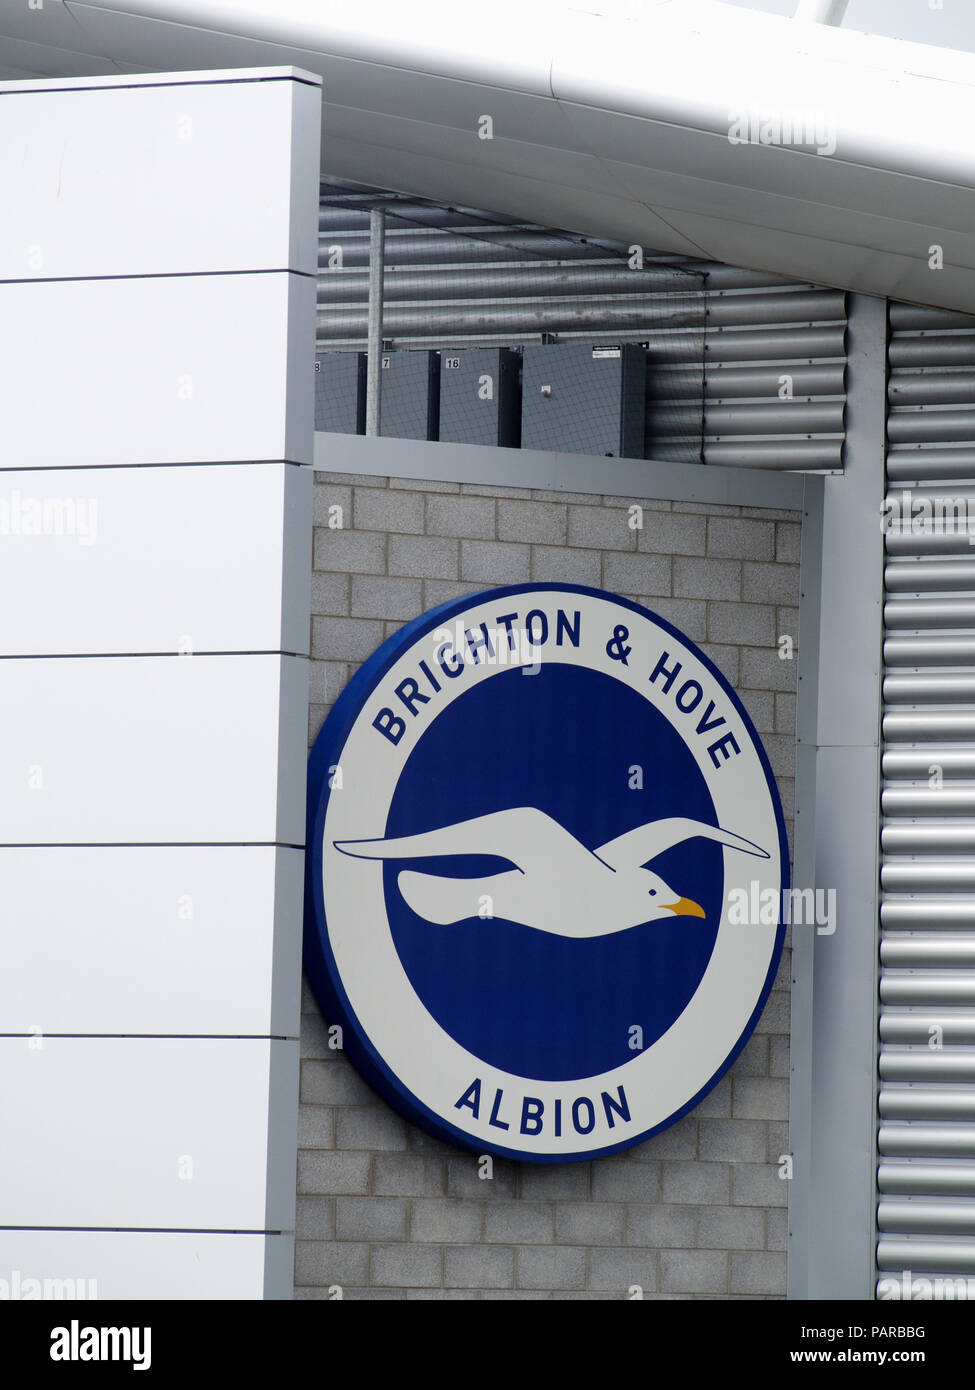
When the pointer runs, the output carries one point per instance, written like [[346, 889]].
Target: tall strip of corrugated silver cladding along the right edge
[[927, 1109]]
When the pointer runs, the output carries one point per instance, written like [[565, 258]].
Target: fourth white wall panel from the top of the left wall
[[154, 750]]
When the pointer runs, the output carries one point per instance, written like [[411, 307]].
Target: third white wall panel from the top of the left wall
[[215, 559]]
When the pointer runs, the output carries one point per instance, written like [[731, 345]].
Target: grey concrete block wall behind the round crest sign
[[386, 1211]]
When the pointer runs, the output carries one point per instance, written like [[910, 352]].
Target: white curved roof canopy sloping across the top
[[682, 126]]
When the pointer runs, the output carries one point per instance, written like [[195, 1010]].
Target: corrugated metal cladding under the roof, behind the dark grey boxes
[[745, 369]]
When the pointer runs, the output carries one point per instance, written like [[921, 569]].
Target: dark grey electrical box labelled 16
[[481, 397]]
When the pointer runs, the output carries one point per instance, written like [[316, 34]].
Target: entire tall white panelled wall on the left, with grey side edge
[[158, 294]]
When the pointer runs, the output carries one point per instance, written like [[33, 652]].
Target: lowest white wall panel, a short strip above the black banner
[[126, 1266]]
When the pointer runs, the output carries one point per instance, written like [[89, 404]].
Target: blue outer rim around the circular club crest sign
[[319, 960]]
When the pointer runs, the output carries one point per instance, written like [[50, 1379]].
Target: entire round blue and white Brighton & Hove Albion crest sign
[[535, 817]]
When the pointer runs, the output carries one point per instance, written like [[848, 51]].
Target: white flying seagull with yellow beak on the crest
[[557, 883]]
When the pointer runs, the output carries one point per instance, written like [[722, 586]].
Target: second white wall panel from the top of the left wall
[[166, 370]]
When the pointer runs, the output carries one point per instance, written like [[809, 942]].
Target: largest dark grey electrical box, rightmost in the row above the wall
[[578, 398]]
